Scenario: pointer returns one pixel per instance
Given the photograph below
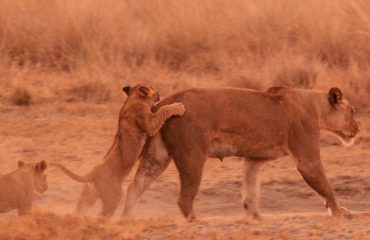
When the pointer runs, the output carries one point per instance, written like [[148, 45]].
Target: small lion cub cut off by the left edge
[[17, 187]]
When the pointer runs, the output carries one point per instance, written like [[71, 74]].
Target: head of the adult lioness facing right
[[340, 119]]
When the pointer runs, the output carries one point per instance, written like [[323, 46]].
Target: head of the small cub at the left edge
[[38, 174]]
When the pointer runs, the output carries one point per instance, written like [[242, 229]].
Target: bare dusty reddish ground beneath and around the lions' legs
[[78, 135]]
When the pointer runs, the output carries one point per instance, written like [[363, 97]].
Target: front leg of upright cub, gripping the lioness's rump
[[152, 123]]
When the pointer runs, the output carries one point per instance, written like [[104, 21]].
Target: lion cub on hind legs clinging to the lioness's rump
[[136, 122]]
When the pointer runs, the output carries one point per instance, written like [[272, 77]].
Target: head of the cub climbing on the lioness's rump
[[144, 92]]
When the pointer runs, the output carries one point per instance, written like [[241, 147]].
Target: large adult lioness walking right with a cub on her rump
[[258, 126]]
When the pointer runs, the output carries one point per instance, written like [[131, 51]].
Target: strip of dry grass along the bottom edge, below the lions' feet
[[46, 225]]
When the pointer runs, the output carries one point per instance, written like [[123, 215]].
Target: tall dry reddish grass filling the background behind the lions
[[68, 50]]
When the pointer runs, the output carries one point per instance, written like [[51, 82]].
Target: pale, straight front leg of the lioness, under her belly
[[251, 187]]
